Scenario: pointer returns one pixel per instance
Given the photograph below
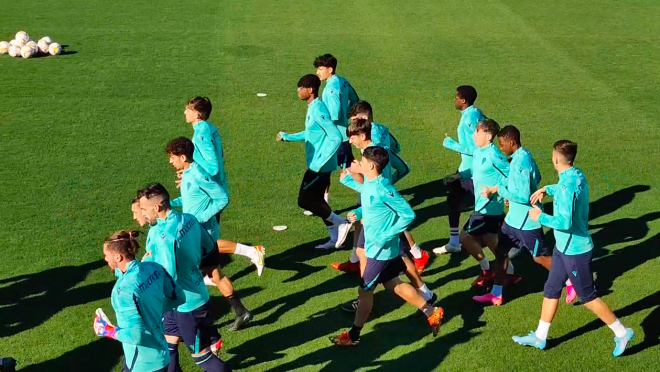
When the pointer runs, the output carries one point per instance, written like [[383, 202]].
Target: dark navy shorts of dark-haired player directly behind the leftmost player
[[195, 328]]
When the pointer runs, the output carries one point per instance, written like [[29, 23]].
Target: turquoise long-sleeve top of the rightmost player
[[570, 221]]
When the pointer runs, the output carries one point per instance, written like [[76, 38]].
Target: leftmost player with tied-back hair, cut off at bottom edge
[[142, 294]]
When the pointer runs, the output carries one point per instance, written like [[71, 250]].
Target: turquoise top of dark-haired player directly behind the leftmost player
[[178, 243]]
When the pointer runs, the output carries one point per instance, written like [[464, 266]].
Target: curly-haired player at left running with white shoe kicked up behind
[[204, 198]]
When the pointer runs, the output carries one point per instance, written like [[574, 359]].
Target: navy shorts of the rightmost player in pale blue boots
[[577, 268]]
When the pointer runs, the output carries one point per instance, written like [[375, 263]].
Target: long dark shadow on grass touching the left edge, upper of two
[[30, 300]]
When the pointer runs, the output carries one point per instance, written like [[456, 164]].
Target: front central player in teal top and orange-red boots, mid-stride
[[386, 215]]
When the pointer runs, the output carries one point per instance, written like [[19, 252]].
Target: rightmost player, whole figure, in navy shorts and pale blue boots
[[571, 258]]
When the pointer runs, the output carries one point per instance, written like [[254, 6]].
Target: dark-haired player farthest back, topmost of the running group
[[338, 96]]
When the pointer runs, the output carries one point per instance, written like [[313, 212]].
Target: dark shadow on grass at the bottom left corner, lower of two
[[100, 355]]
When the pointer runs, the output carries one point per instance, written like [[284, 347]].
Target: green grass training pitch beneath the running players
[[81, 132]]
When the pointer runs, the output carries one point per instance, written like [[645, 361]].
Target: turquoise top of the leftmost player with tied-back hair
[[140, 297]]
